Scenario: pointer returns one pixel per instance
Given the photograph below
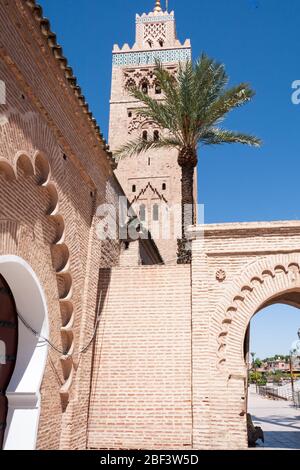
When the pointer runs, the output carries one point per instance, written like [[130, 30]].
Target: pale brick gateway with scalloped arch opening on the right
[[237, 270]]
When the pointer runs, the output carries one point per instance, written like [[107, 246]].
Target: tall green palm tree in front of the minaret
[[195, 102]]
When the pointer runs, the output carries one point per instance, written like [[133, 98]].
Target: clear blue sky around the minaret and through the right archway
[[259, 42]]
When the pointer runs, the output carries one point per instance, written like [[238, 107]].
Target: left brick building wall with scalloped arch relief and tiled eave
[[54, 173]]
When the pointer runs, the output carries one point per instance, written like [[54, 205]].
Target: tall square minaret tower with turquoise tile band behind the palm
[[151, 180]]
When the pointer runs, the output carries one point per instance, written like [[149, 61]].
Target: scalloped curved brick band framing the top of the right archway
[[265, 282]]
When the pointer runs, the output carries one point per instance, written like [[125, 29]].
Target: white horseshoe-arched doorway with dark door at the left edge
[[22, 301]]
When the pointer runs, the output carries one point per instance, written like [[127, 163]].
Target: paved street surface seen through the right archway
[[279, 420]]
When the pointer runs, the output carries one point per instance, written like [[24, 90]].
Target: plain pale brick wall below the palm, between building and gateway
[[141, 393]]
